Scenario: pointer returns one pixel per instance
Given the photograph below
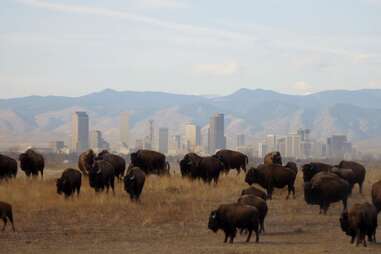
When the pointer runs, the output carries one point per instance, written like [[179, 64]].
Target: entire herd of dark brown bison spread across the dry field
[[323, 185]]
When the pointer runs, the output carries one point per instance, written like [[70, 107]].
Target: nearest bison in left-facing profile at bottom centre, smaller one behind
[[229, 217]]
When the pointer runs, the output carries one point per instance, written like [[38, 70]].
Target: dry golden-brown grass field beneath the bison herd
[[171, 218]]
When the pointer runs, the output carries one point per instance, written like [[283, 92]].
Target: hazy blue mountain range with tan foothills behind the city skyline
[[39, 119]]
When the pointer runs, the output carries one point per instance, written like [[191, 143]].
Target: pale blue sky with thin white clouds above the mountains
[[194, 47]]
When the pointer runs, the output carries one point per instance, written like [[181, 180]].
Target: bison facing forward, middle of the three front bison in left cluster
[[102, 175]]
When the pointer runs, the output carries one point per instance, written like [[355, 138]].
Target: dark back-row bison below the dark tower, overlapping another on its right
[[206, 168]]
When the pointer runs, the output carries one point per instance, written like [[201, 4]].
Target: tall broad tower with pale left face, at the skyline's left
[[80, 132]]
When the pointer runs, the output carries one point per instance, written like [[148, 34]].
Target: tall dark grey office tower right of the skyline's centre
[[216, 137]]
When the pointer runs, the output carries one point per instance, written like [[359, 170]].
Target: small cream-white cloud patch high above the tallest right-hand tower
[[222, 69]]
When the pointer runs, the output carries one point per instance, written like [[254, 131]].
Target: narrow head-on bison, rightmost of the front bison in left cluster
[[134, 182]]
